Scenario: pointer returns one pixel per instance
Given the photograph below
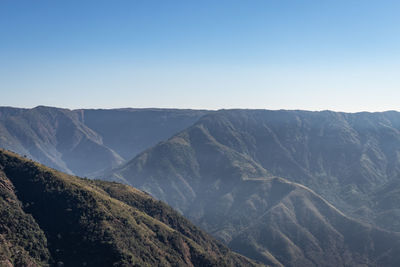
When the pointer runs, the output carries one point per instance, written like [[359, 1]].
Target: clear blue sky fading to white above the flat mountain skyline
[[273, 54]]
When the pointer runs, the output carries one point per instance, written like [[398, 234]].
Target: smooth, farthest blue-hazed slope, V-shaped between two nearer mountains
[[130, 131]]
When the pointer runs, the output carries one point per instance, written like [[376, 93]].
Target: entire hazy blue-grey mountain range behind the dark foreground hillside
[[288, 188]]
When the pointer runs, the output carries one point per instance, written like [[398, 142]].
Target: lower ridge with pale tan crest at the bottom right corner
[[301, 229]]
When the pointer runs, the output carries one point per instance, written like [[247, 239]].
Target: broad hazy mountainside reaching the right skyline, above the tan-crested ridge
[[343, 157]]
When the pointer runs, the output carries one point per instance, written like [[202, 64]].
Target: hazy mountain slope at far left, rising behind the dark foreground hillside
[[57, 138]]
